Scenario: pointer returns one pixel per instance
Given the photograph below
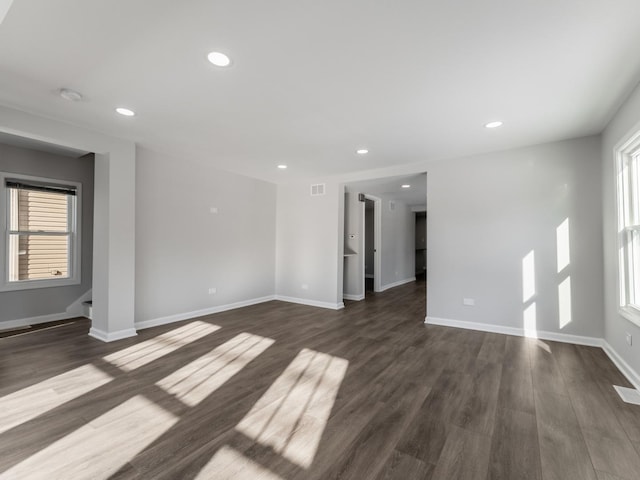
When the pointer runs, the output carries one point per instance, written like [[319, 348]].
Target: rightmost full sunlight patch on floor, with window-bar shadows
[[291, 416]]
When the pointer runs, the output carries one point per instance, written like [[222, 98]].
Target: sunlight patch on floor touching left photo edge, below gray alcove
[[26, 404]]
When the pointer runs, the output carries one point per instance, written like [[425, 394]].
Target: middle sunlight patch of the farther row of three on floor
[[200, 378]]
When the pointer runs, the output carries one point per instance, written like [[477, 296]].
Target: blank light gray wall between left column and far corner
[[182, 249]]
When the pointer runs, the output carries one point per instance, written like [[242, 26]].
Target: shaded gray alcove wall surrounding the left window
[[45, 301]]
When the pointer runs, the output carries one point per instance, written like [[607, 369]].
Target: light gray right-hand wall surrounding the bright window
[[624, 123]]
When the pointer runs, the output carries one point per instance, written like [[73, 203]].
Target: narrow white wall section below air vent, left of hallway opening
[[309, 244]]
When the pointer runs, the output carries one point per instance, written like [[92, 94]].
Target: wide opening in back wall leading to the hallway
[[384, 236]]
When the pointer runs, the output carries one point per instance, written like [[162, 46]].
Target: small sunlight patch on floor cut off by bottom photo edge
[[229, 464]]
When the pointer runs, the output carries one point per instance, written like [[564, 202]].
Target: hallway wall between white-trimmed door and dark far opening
[[397, 243]]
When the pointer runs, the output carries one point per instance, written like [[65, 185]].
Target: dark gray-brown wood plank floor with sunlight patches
[[284, 391]]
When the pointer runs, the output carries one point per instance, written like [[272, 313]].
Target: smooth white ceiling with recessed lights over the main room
[[313, 81]]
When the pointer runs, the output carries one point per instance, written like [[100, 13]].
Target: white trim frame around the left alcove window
[[75, 236]]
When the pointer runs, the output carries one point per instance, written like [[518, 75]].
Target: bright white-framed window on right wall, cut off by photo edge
[[627, 177]]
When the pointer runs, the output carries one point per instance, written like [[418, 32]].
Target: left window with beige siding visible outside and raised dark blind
[[40, 241]]
